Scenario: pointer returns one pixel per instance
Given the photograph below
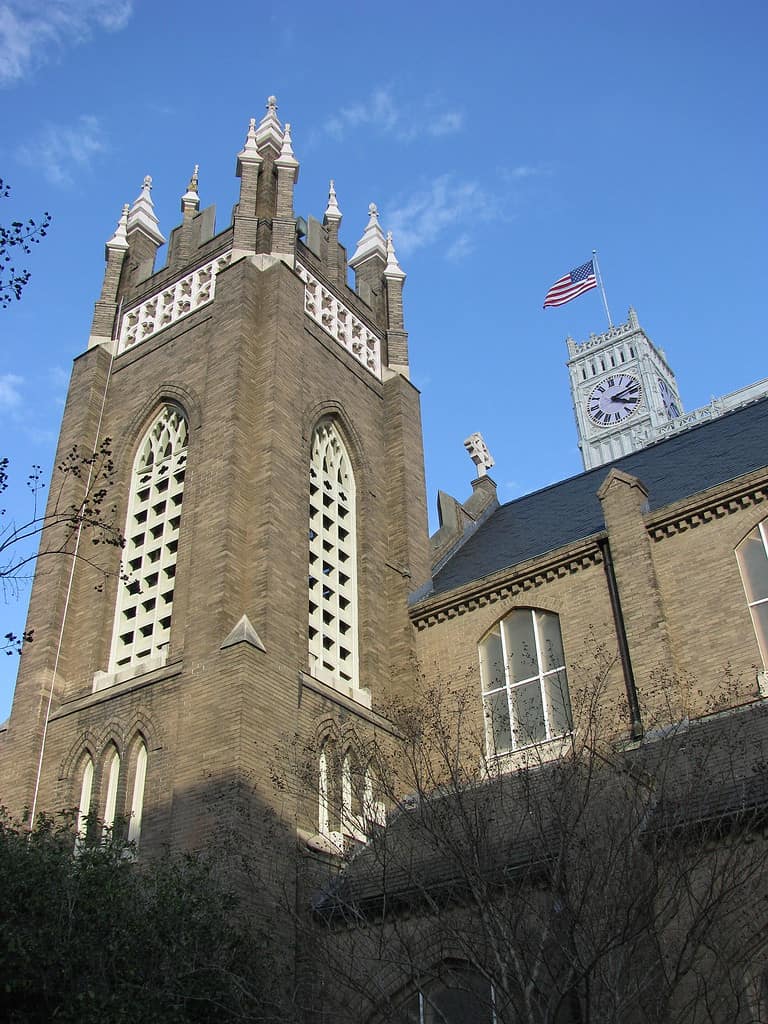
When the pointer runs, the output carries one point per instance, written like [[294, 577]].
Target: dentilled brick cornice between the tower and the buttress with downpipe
[[507, 583]]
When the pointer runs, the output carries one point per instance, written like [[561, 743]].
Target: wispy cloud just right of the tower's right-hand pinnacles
[[446, 211]]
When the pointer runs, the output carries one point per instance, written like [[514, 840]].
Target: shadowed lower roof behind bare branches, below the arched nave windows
[[710, 776]]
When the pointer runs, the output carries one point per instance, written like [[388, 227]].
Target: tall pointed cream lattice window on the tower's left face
[[143, 622]]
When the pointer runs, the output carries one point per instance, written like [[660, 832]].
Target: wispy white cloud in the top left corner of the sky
[[32, 33]]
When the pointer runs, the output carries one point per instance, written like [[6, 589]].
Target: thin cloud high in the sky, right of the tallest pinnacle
[[385, 114]]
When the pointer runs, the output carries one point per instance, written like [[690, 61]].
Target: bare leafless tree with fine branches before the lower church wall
[[592, 881]]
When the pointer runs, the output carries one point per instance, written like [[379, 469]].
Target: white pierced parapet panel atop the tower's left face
[[172, 305]]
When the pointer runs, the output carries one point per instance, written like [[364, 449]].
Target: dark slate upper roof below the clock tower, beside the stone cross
[[564, 514]]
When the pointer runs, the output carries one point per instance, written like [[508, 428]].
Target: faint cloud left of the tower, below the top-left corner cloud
[[62, 153]]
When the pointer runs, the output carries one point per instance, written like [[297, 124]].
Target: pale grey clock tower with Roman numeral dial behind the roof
[[623, 391]]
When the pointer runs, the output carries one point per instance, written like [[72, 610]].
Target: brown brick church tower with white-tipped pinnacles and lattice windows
[[270, 487]]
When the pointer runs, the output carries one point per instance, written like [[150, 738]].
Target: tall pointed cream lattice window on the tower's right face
[[333, 583]]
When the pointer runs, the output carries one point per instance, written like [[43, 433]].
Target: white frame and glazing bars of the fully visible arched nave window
[[543, 675]]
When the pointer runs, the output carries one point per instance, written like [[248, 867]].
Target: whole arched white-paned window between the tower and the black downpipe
[[525, 686]]
